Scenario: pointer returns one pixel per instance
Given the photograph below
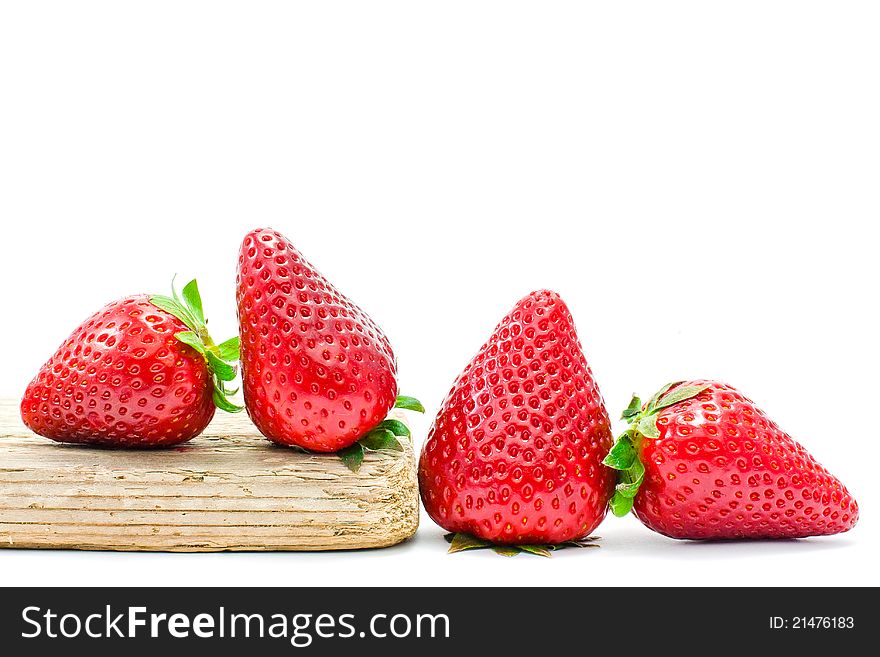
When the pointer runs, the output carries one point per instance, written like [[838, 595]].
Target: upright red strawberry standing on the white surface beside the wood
[[514, 456]]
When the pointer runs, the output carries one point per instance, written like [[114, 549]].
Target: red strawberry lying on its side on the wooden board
[[140, 372]]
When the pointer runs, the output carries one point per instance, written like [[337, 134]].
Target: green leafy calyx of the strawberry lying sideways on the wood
[[220, 358]]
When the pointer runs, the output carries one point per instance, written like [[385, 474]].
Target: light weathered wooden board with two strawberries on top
[[228, 489]]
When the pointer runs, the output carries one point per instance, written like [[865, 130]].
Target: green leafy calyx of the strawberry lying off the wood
[[624, 455]]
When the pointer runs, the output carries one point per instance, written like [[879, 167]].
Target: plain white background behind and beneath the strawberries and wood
[[699, 182]]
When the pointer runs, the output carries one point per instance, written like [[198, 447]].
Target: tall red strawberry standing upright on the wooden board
[[317, 372]]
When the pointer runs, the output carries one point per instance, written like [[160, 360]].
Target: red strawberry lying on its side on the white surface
[[701, 461]]
